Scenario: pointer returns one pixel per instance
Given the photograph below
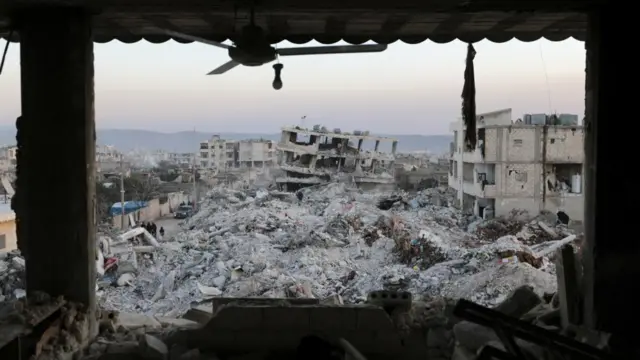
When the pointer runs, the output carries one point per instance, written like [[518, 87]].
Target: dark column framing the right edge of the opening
[[610, 259]]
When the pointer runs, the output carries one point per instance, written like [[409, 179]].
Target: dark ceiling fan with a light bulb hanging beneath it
[[252, 48]]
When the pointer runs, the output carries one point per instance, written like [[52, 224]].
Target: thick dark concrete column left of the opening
[[55, 200]]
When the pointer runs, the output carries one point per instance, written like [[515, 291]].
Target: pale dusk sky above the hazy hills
[[408, 89]]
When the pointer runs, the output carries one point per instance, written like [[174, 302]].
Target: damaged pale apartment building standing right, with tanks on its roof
[[532, 164]]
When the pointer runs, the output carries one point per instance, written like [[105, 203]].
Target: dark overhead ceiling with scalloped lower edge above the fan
[[330, 21]]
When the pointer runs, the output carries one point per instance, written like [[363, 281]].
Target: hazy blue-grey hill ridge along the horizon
[[187, 141]]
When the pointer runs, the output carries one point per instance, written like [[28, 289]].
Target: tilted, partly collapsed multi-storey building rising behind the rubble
[[315, 156]]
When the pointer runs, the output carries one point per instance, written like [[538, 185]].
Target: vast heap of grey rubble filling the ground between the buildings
[[335, 240]]
